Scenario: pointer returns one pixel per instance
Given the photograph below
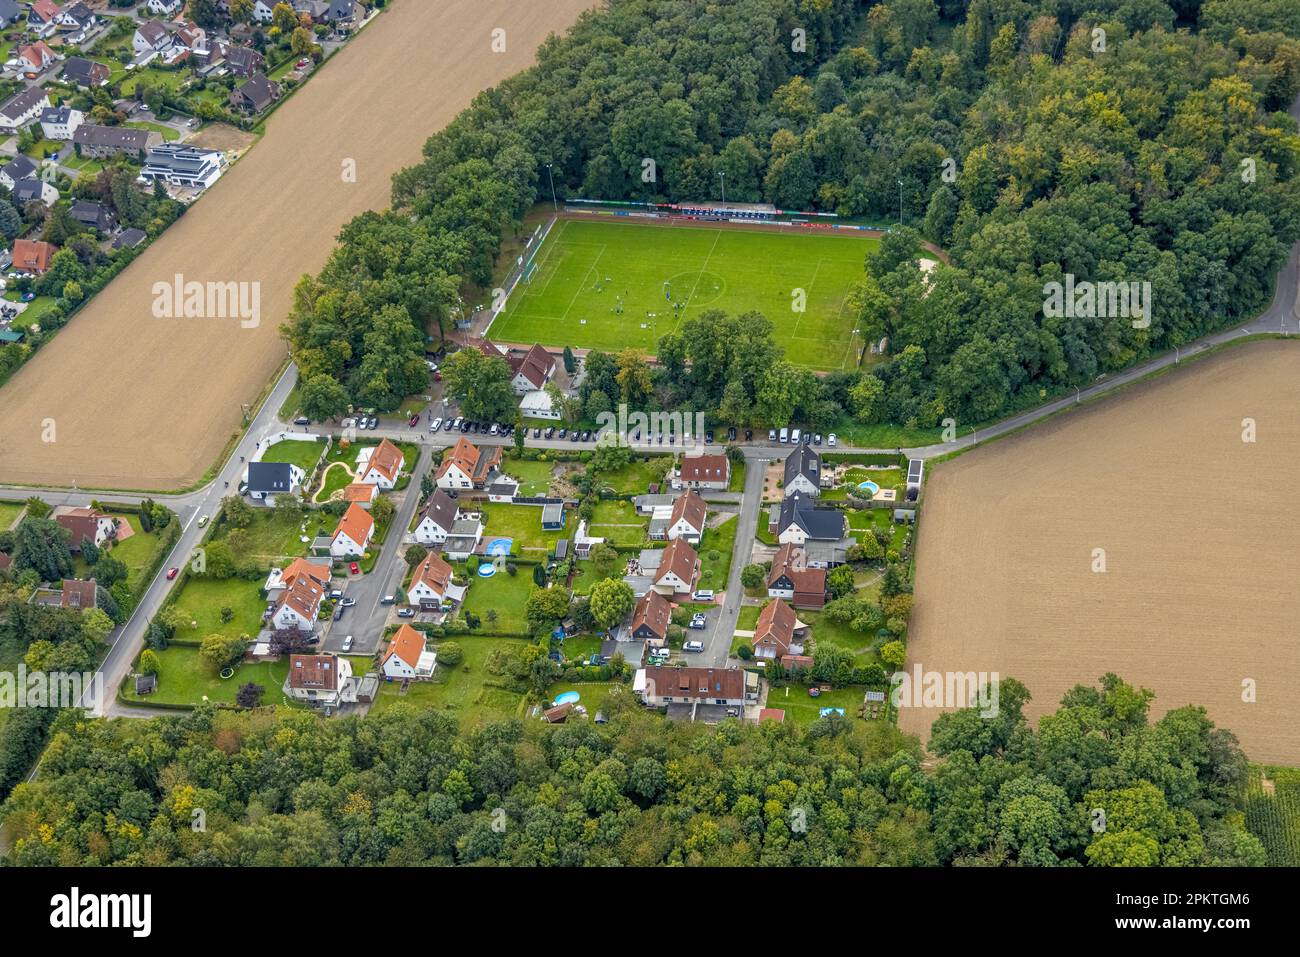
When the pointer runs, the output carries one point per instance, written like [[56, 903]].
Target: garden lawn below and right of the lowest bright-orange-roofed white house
[[465, 692]]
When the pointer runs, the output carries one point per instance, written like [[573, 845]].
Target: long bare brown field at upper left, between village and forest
[[149, 404]]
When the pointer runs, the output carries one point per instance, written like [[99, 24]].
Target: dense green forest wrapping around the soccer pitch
[[1133, 141]]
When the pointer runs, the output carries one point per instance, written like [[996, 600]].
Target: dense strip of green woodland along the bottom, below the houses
[[1097, 785]]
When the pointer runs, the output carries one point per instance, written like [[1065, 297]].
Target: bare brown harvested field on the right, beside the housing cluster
[[1201, 534]]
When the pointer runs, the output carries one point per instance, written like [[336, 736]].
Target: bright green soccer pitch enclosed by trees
[[613, 285]]
